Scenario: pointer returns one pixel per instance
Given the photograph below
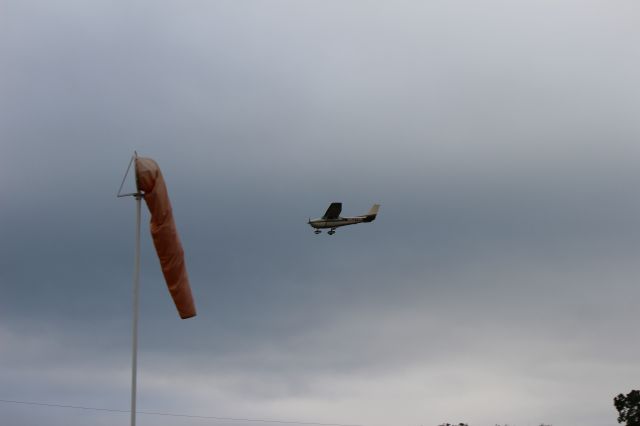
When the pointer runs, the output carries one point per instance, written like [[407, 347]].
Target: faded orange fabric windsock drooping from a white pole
[[165, 236]]
